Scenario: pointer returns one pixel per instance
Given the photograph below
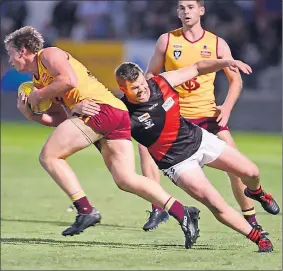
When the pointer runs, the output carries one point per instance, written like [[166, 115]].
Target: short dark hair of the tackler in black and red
[[128, 71]]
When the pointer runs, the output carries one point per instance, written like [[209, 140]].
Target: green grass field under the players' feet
[[33, 215]]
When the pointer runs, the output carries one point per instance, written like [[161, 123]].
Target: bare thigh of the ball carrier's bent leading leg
[[65, 140]]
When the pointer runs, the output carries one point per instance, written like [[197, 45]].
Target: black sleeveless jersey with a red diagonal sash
[[157, 125]]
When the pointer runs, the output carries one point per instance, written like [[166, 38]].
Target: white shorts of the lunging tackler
[[210, 149]]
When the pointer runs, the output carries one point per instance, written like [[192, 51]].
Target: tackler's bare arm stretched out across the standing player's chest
[[180, 76]]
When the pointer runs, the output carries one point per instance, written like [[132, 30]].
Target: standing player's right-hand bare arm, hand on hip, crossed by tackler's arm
[[235, 85]]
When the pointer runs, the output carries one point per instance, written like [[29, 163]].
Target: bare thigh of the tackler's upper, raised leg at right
[[232, 161]]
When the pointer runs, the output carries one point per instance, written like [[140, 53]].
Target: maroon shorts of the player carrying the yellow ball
[[111, 122]]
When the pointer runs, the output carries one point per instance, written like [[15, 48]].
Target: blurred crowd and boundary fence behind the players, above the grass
[[102, 34]]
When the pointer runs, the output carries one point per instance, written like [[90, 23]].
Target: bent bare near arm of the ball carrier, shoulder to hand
[[57, 63]]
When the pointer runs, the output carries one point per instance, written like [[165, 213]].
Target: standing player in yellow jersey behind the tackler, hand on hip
[[180, 48]]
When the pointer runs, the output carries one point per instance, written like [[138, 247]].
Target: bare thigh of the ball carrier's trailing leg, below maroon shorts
[[119, 157]]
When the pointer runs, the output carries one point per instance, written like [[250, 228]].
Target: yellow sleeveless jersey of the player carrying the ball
[[88, 86]]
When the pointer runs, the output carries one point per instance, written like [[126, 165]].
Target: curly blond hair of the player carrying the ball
[[27, 37]]
